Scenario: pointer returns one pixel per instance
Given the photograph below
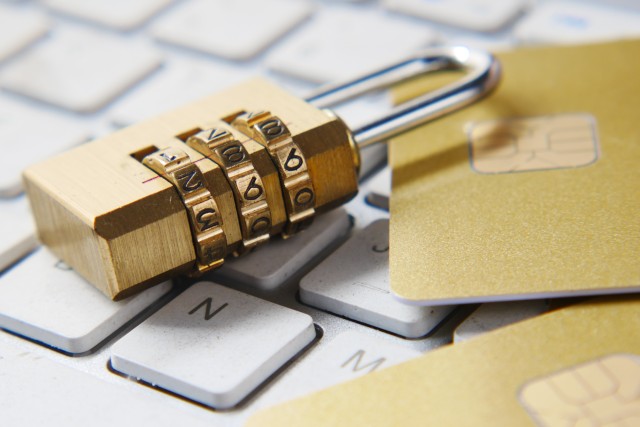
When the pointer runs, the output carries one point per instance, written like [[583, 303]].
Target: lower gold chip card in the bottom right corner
[[578, 366]]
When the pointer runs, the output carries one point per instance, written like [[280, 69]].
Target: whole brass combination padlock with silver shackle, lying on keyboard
[[180, 192]]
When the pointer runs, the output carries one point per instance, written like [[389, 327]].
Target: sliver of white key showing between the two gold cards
[[491, 316]]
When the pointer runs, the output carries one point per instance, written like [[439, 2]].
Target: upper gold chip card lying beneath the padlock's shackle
[[533, 192]]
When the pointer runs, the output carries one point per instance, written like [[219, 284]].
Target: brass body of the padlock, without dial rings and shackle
[[123, 227]]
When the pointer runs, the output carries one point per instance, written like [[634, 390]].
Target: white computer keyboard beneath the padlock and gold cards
[[293, 317]]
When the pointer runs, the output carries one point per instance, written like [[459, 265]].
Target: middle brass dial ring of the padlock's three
[[220, 145]]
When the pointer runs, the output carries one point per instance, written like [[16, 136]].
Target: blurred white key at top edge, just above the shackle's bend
[[477, 15]]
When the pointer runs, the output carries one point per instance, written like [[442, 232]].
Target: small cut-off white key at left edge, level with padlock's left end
[[17, 231]]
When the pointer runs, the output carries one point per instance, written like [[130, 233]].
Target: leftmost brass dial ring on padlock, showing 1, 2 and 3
[[204, 218]]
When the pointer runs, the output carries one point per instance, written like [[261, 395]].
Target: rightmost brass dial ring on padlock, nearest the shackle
[[299, 194]]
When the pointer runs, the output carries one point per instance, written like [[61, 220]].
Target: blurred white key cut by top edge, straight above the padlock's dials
[[235, 30]]
